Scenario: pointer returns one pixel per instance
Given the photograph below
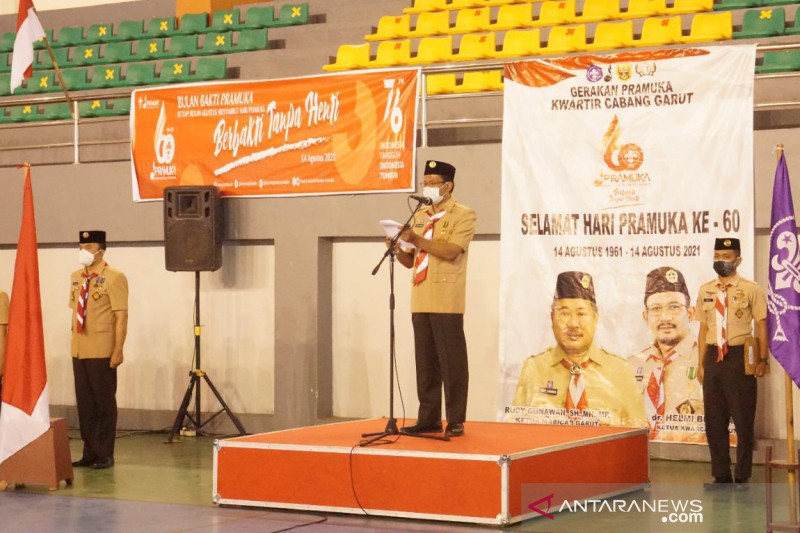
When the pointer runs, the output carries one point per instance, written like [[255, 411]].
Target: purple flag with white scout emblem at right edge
[[783, 319]]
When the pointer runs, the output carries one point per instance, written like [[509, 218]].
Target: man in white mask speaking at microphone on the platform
[[441, 235]]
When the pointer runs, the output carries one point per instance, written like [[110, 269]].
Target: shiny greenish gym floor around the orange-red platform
[[158, 487]]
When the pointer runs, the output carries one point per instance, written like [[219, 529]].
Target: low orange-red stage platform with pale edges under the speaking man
[[476, 478]]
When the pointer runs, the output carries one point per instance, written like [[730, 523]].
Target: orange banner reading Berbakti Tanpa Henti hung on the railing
[[338, 134]]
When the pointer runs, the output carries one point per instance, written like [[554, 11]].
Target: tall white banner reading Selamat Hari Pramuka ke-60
[[619, 171]]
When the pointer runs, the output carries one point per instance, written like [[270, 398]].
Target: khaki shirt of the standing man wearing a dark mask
[[746, 302]]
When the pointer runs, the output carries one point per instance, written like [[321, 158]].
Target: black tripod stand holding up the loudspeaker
[[194, 384]]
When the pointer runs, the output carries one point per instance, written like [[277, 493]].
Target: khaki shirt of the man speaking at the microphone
[[444, 287]]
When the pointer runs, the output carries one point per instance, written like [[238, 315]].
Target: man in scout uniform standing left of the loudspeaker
[[99, 301]]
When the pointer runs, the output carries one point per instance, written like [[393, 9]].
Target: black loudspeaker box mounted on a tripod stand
[[193, 228]]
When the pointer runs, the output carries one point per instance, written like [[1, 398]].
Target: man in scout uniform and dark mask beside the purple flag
[[726, 309]]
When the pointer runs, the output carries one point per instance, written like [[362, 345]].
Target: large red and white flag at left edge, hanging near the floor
[[25, 413]]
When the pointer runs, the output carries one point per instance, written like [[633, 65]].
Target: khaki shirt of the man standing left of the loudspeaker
[[107, 293]]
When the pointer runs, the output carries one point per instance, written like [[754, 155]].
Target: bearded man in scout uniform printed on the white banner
[[666, 371]]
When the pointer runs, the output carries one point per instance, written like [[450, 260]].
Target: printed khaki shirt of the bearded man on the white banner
[[683, 393]]
